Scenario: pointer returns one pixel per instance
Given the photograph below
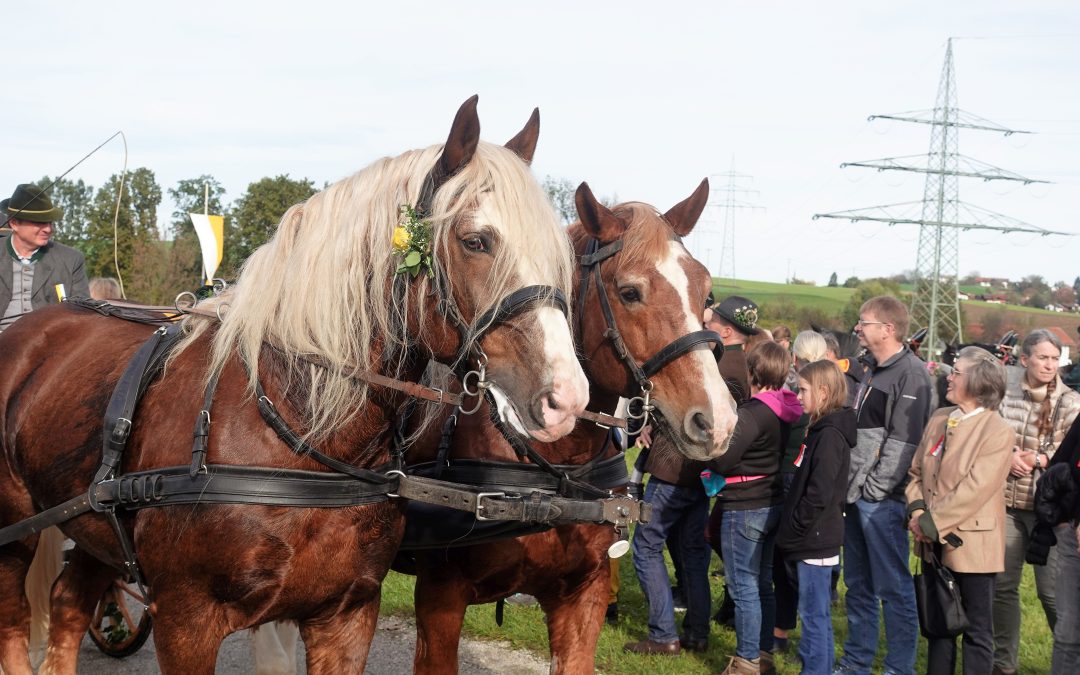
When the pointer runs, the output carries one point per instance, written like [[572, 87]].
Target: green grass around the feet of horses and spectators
[[524, 627]]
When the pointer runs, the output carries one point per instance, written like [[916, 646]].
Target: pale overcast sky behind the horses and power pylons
[[642, 100]]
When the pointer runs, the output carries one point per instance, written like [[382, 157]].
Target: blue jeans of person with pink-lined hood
[[747, 546]]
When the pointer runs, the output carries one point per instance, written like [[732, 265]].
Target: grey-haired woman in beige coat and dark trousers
[[955, 502]]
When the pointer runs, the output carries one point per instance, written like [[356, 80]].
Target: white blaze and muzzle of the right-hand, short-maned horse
[[711, 426]]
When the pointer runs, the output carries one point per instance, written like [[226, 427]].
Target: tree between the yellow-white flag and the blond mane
[[256, 214]]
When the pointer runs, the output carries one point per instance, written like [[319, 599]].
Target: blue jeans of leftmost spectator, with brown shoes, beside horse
[[687, 509]]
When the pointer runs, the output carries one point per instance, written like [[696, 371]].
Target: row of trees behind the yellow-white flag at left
[[157, 265]]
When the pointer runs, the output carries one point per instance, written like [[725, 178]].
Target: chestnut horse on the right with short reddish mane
[[657, 293]]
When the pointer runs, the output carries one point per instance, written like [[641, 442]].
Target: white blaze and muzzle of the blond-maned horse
[[563, 387]]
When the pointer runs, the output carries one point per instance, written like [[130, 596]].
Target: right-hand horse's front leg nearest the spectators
[[575, 623]]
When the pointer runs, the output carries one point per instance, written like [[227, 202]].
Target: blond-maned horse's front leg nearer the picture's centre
[[340, 644]]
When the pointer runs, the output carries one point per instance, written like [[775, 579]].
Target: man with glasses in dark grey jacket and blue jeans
[[893, 407]]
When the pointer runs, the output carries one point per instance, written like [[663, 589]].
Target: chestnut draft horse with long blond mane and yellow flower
[[317, 315]]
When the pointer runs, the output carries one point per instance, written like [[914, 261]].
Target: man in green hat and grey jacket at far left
[[36, 272]]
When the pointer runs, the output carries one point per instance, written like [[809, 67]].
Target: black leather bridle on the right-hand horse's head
[[590, 263]]
